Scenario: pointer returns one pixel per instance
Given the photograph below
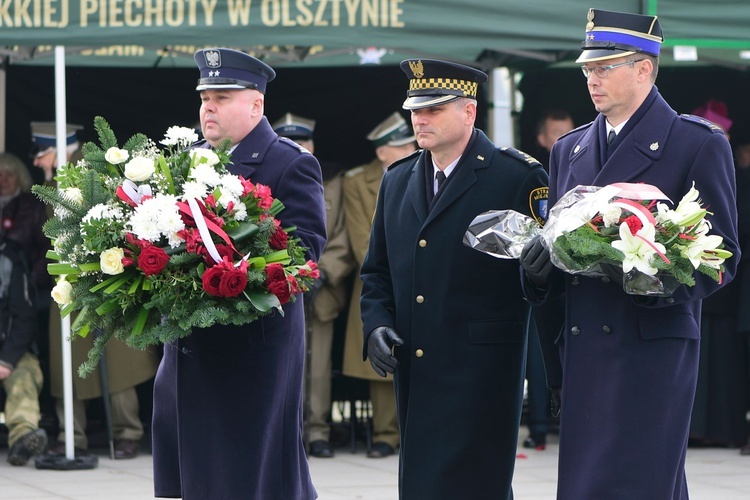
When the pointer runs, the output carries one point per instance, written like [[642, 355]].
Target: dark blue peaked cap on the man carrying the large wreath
[[231, 69]]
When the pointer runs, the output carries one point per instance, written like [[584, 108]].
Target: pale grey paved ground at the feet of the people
[[713, 474]]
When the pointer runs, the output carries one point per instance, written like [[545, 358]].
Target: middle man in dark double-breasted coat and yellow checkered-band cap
[[446, 320]]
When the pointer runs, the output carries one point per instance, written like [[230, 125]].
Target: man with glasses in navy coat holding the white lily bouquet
[[630, 362]]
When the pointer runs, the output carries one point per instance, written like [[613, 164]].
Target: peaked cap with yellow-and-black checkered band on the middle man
[[434, 82]]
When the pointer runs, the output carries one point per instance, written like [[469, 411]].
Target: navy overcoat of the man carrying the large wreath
[[227, 421]]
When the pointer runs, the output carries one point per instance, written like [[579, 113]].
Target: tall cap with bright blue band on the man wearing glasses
[[617, 34]]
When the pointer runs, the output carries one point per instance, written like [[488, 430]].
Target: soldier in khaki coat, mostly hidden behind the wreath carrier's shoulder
[[327, 297]]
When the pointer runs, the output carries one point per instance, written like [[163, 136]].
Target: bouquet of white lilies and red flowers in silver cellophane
[[628, 226]]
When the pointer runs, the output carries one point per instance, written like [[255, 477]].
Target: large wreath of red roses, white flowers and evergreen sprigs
[[150, 243]]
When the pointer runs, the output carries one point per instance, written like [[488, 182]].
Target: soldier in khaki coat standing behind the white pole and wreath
[[126, 367]]
